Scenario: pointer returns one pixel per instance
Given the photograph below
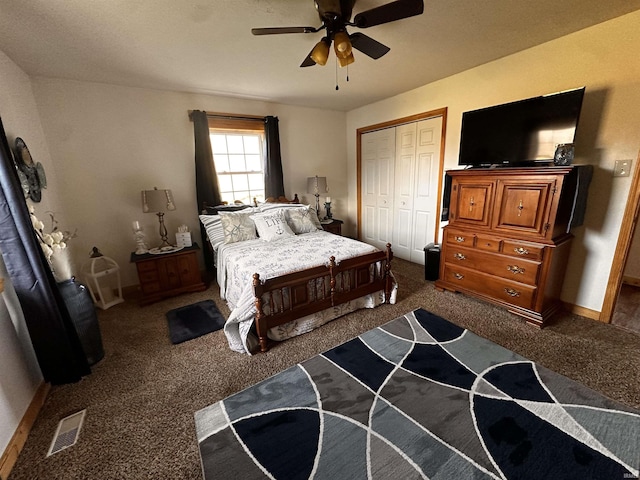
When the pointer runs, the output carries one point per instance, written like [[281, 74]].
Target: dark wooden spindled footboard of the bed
[[288, 297]]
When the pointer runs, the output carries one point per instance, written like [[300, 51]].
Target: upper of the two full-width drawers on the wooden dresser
[[516, 269]]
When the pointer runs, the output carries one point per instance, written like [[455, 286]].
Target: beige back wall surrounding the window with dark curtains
[[108, 143]]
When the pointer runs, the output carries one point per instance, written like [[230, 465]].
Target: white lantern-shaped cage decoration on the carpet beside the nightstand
[[102, 276]]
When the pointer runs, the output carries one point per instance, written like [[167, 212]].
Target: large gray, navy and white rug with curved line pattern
[[418, 397]]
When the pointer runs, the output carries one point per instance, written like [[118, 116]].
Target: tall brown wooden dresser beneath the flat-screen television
[[508, 240]]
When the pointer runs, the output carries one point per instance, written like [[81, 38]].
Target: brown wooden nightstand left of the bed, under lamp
[[168, 274]]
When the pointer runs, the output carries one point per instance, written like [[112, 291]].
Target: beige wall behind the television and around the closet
[[602, 58]]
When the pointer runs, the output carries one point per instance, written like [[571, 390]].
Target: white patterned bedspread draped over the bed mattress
[[237, 262]]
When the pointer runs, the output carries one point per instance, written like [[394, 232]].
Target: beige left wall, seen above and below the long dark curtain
[[19, 374]]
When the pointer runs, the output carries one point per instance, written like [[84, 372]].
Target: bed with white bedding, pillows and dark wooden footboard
[[282, 275]]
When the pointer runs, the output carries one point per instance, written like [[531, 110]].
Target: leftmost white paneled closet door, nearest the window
[[377, 163]]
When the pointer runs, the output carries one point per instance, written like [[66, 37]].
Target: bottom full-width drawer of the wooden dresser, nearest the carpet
[[498, 288]]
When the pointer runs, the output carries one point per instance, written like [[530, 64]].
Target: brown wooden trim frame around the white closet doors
[[441, 112]]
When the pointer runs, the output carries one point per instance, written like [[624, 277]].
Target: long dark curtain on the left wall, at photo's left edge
[[51, 329]]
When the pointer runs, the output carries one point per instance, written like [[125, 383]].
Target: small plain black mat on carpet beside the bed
[[192, 321]]
